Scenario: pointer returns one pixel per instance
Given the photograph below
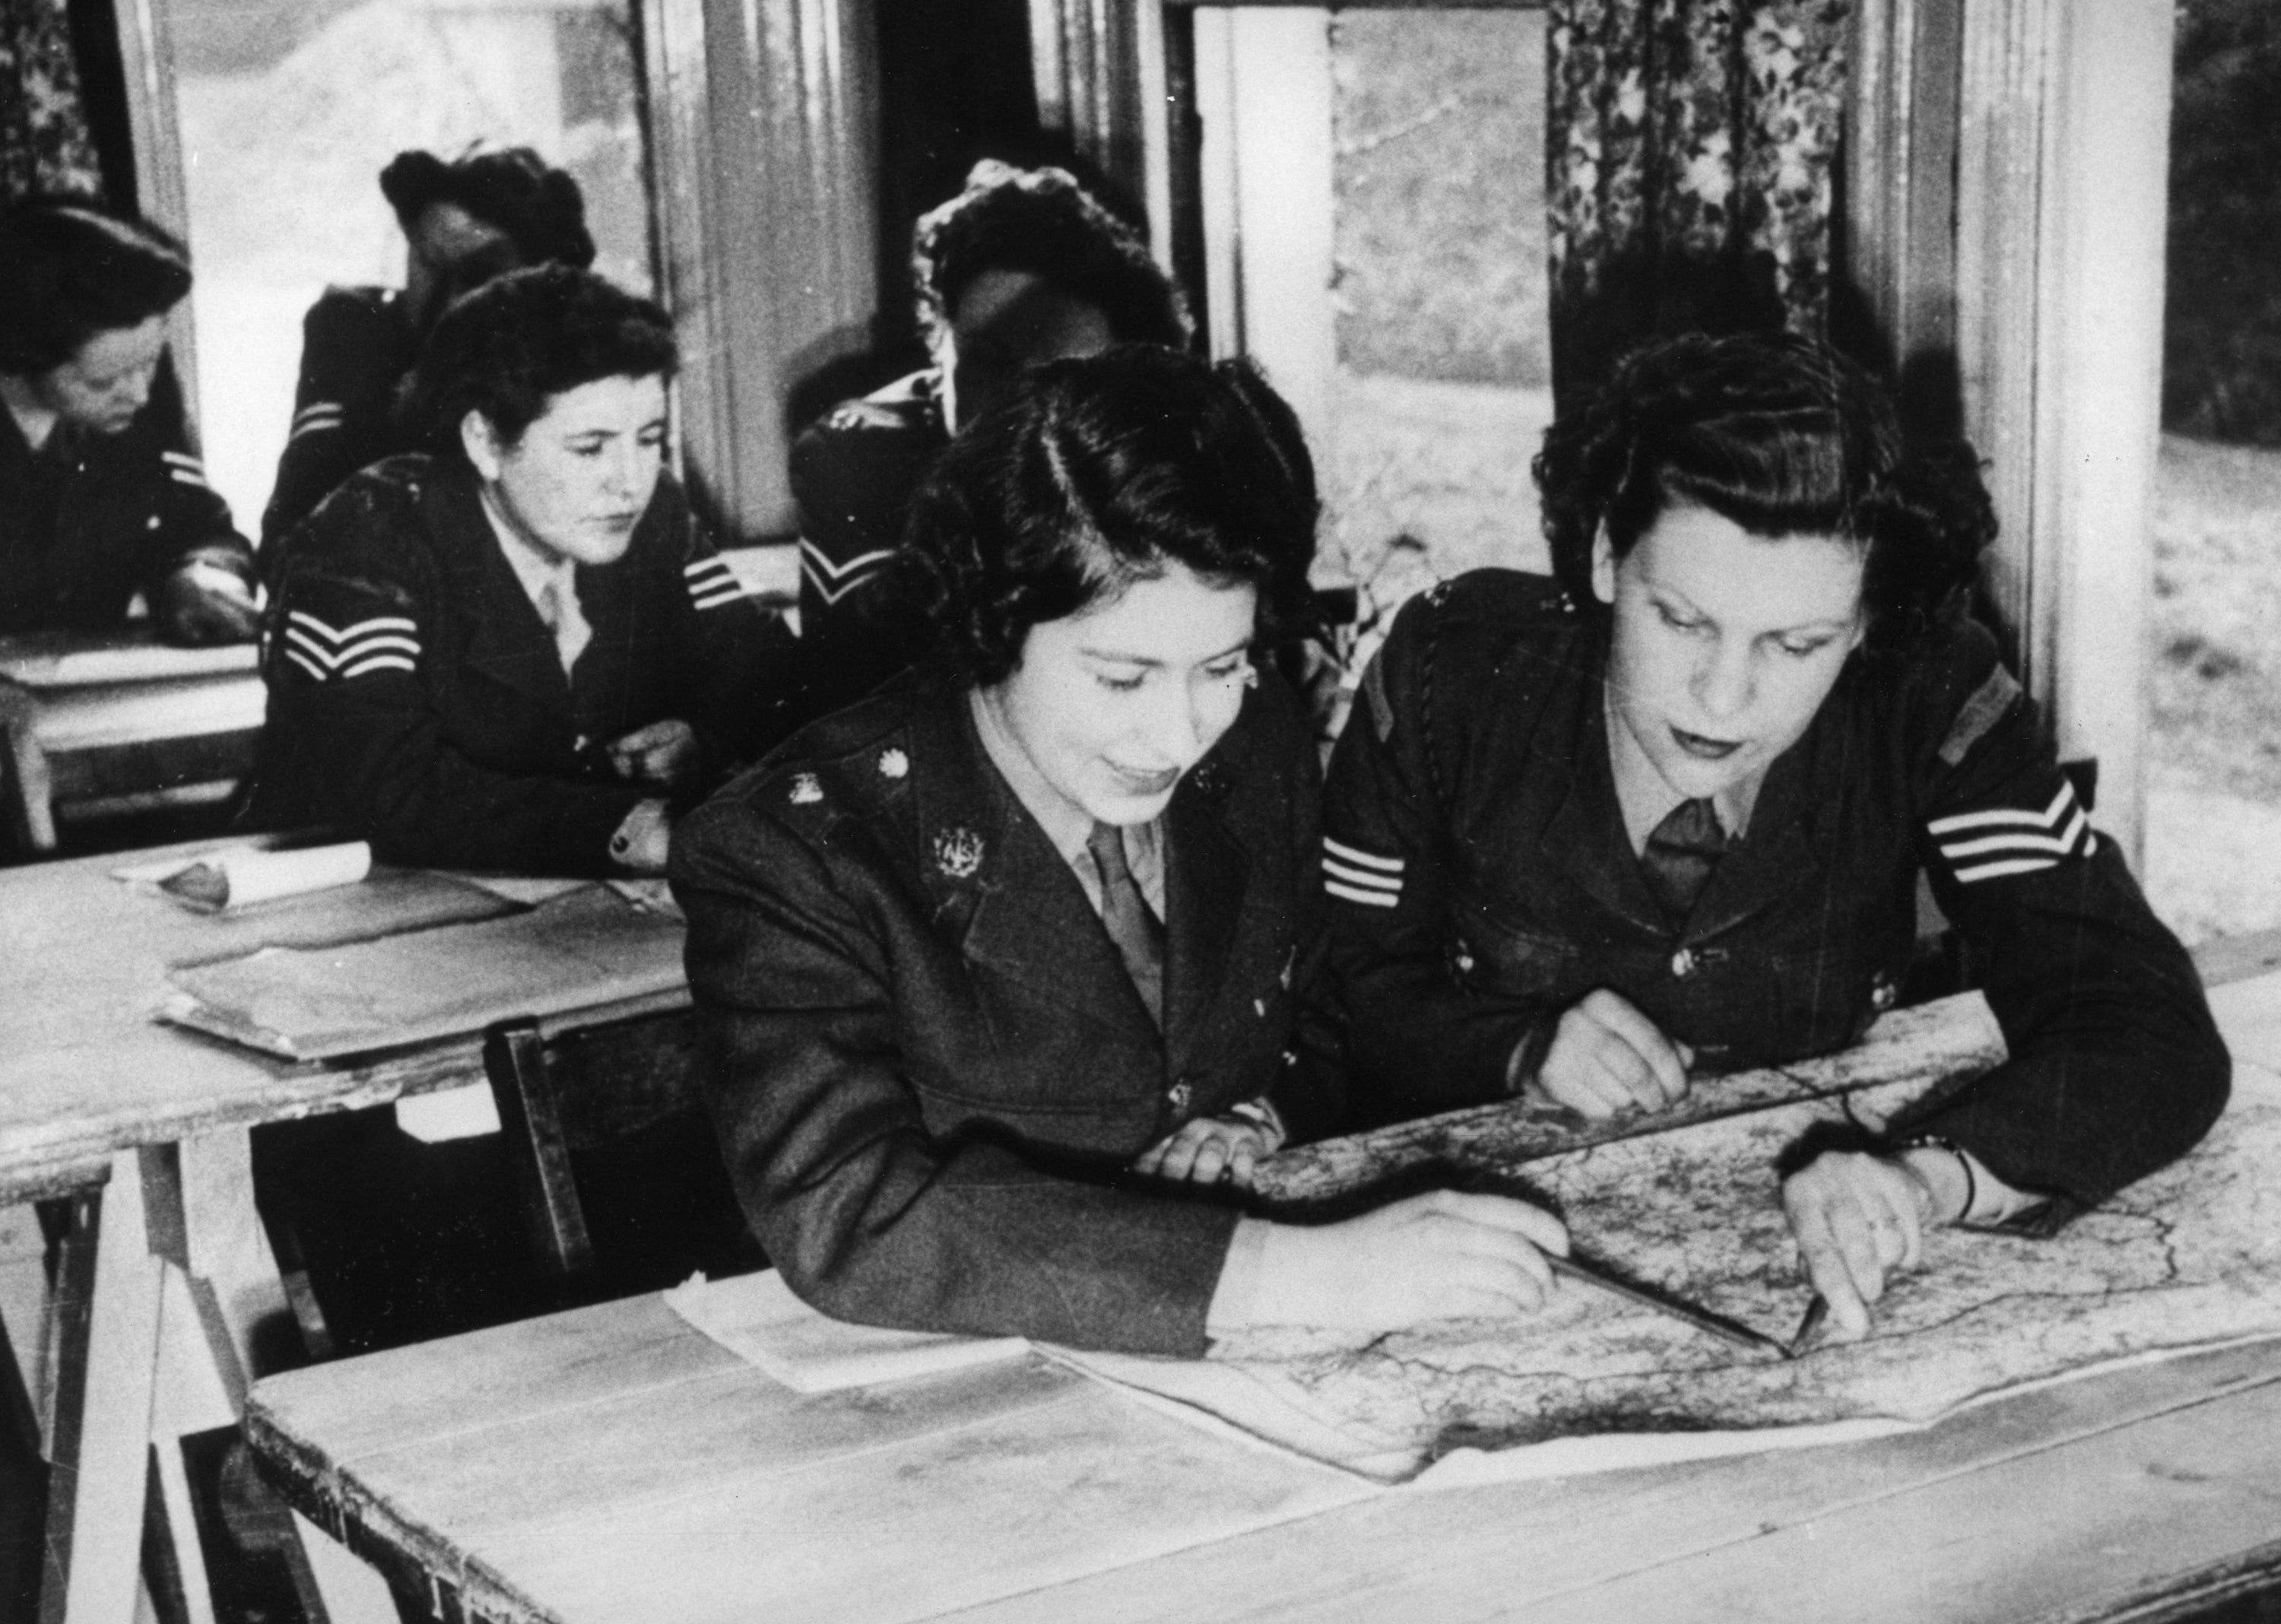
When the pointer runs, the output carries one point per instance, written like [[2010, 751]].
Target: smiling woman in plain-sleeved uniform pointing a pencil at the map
[[1005, 968]]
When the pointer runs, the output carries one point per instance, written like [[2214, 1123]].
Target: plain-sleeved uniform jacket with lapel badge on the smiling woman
[[927, 1059]]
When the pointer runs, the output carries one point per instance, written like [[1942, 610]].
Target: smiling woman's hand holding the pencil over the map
[[1440, 1256]]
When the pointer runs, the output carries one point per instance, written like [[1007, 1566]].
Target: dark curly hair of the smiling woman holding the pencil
[[1101, 473]]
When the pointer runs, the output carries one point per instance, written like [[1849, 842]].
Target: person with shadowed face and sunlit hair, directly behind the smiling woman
[[1018, 270]]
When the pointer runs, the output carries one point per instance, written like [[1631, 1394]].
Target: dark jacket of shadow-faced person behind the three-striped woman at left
[[357, 346]]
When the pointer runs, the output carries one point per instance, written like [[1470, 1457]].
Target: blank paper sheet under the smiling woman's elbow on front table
[[768, 1326]]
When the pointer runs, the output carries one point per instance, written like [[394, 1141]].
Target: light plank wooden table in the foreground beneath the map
[[617, 1465]]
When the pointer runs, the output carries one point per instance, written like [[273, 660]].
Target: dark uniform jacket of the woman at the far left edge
[[95, 519]]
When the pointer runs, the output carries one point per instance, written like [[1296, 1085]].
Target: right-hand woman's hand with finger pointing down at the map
[[1856, 1219]]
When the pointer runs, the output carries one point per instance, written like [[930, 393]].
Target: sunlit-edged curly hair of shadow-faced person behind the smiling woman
[[1048, 225]]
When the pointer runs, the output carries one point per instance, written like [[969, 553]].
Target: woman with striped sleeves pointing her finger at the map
[[1666, 815]]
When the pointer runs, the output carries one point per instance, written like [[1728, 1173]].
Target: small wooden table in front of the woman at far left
[[120, 722]]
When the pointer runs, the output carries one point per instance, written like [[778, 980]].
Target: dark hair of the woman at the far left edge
[[72, 268]]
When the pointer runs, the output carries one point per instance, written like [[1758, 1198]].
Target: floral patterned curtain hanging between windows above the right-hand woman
[[1691, 154]]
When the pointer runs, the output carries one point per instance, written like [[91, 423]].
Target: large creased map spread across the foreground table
[[2179, 1262]]
